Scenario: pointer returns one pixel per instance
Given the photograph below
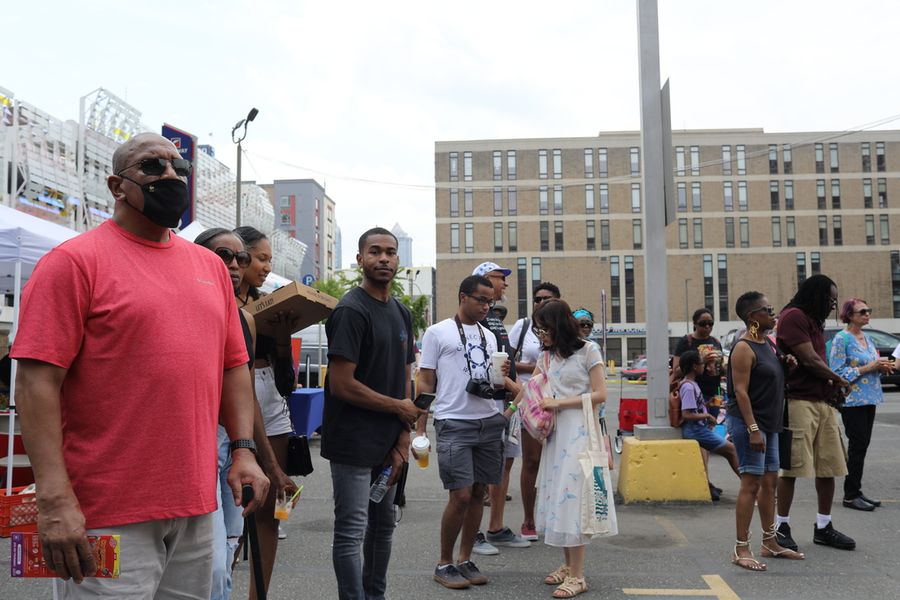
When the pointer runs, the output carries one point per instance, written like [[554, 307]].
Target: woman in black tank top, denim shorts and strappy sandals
[[755, 418]]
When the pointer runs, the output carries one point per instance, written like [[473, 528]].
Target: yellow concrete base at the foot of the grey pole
[[662, 471]]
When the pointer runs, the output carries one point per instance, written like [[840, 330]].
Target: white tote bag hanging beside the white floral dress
[[598, 510]]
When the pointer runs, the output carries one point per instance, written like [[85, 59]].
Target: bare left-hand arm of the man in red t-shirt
[[61, 524]]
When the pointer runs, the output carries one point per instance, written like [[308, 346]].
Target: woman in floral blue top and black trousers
[[854, 357]]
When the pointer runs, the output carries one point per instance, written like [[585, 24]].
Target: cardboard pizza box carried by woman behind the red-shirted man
[[307, 304]]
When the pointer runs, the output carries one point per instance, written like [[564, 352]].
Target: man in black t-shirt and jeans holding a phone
[[367, 416]]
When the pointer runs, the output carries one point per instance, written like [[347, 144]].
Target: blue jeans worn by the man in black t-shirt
[[363, 532]]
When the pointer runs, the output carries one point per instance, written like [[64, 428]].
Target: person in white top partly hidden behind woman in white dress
[[525, 362]]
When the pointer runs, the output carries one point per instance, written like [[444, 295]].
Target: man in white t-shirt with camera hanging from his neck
[[456, 358]]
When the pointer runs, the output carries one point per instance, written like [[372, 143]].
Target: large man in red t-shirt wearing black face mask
[[130, 351]]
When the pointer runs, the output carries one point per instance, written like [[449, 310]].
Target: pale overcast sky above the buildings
[[353, 91]]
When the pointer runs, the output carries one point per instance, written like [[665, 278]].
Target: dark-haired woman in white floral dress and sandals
[[575, 368]]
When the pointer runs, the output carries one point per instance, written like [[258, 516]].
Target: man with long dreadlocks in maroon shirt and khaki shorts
[[817, 447]]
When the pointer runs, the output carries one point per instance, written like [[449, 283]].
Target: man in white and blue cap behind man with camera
[[498, 534]]
